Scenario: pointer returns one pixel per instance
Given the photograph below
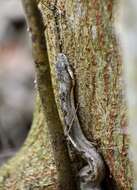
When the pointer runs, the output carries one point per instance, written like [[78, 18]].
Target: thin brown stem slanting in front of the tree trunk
[[35, 22]]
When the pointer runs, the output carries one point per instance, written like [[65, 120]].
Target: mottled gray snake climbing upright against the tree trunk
[[91, 175]]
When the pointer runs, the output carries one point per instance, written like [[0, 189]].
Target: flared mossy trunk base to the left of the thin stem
[[33, 167]]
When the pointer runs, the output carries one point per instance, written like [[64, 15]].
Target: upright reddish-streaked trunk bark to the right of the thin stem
[[83, 30]]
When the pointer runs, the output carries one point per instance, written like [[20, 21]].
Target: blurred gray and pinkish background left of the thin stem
[[16, 78]]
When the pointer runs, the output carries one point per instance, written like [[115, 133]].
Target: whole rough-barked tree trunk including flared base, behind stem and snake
[[82, 30]]
